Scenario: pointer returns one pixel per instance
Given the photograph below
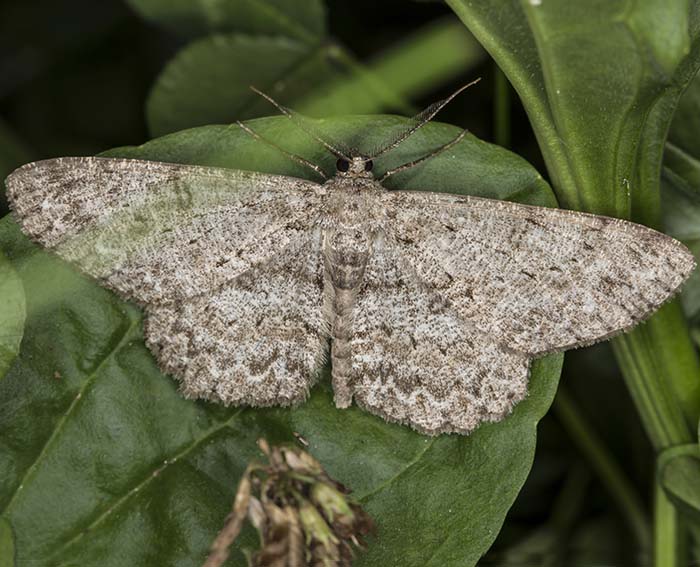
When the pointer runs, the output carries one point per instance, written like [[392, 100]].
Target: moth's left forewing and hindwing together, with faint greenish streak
[[226, 262]]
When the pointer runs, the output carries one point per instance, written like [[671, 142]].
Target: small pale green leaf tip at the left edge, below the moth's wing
[[12, 314]]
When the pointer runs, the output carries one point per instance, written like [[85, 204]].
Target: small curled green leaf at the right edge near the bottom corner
[[679, 475]]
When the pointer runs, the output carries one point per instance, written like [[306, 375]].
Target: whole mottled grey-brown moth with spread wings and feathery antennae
[[433, 304]]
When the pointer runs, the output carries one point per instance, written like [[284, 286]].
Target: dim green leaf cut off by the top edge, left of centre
[[300, 19]]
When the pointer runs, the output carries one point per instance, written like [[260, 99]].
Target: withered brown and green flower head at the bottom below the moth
[[304, 517]]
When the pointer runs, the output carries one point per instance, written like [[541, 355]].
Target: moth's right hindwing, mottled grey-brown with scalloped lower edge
[[416, 362]]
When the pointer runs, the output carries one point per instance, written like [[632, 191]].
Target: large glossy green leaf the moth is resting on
[[104, 463]]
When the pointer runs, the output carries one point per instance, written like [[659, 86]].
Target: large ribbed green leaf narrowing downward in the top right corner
[[599, 80]]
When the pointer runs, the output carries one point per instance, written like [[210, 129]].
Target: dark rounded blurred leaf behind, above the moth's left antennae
[[208, 82]]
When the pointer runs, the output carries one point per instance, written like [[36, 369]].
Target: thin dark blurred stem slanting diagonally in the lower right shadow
[[605, 466]]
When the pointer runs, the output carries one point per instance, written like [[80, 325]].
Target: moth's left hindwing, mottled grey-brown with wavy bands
[[259, 340]]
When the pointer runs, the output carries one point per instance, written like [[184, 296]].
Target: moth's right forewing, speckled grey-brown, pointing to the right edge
[[539, 280]]
